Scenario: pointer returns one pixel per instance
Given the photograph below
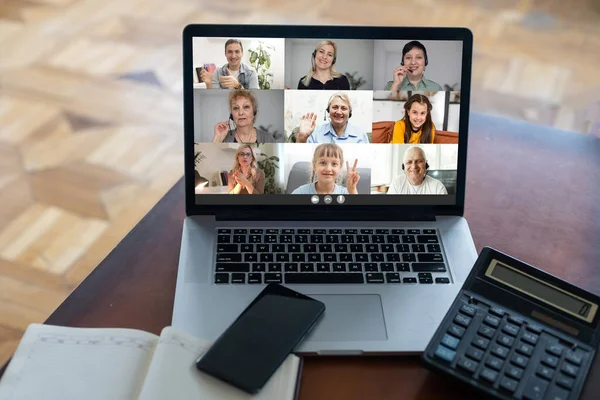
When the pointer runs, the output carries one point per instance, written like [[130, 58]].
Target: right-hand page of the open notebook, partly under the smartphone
[[173, 374]]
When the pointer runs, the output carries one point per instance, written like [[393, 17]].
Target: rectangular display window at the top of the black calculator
[[541, 290]]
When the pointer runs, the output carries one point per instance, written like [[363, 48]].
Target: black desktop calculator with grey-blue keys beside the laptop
[[516, 332]]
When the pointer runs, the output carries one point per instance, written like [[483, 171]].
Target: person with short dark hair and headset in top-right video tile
[[410, 74]]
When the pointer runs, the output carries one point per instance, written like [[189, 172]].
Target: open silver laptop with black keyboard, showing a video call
[[331, 160]]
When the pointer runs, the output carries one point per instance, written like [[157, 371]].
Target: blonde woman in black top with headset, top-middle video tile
[[322, 74]]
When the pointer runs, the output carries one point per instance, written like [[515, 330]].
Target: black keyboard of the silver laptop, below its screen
[[316, 256]]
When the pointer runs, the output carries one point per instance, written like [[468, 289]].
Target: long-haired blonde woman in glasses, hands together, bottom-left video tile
[[245, 177]]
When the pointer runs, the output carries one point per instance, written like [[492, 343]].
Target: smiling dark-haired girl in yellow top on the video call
[[416, 126]]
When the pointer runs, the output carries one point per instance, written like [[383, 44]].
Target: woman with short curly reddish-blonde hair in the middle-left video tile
[[243, 109]]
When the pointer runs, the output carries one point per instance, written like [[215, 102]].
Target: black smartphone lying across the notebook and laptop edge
[[260, 339]]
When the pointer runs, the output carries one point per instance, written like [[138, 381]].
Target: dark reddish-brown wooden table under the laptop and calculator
[[532, 192]]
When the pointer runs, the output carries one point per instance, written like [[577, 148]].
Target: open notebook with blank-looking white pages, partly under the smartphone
[[53, 362]]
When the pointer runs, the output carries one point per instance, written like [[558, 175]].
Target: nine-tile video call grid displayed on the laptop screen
[[363, 73]]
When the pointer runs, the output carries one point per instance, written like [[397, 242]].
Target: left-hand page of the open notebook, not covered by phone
[[54, 362]]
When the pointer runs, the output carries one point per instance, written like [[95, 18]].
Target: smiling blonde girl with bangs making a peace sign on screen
[[327, 165]]
